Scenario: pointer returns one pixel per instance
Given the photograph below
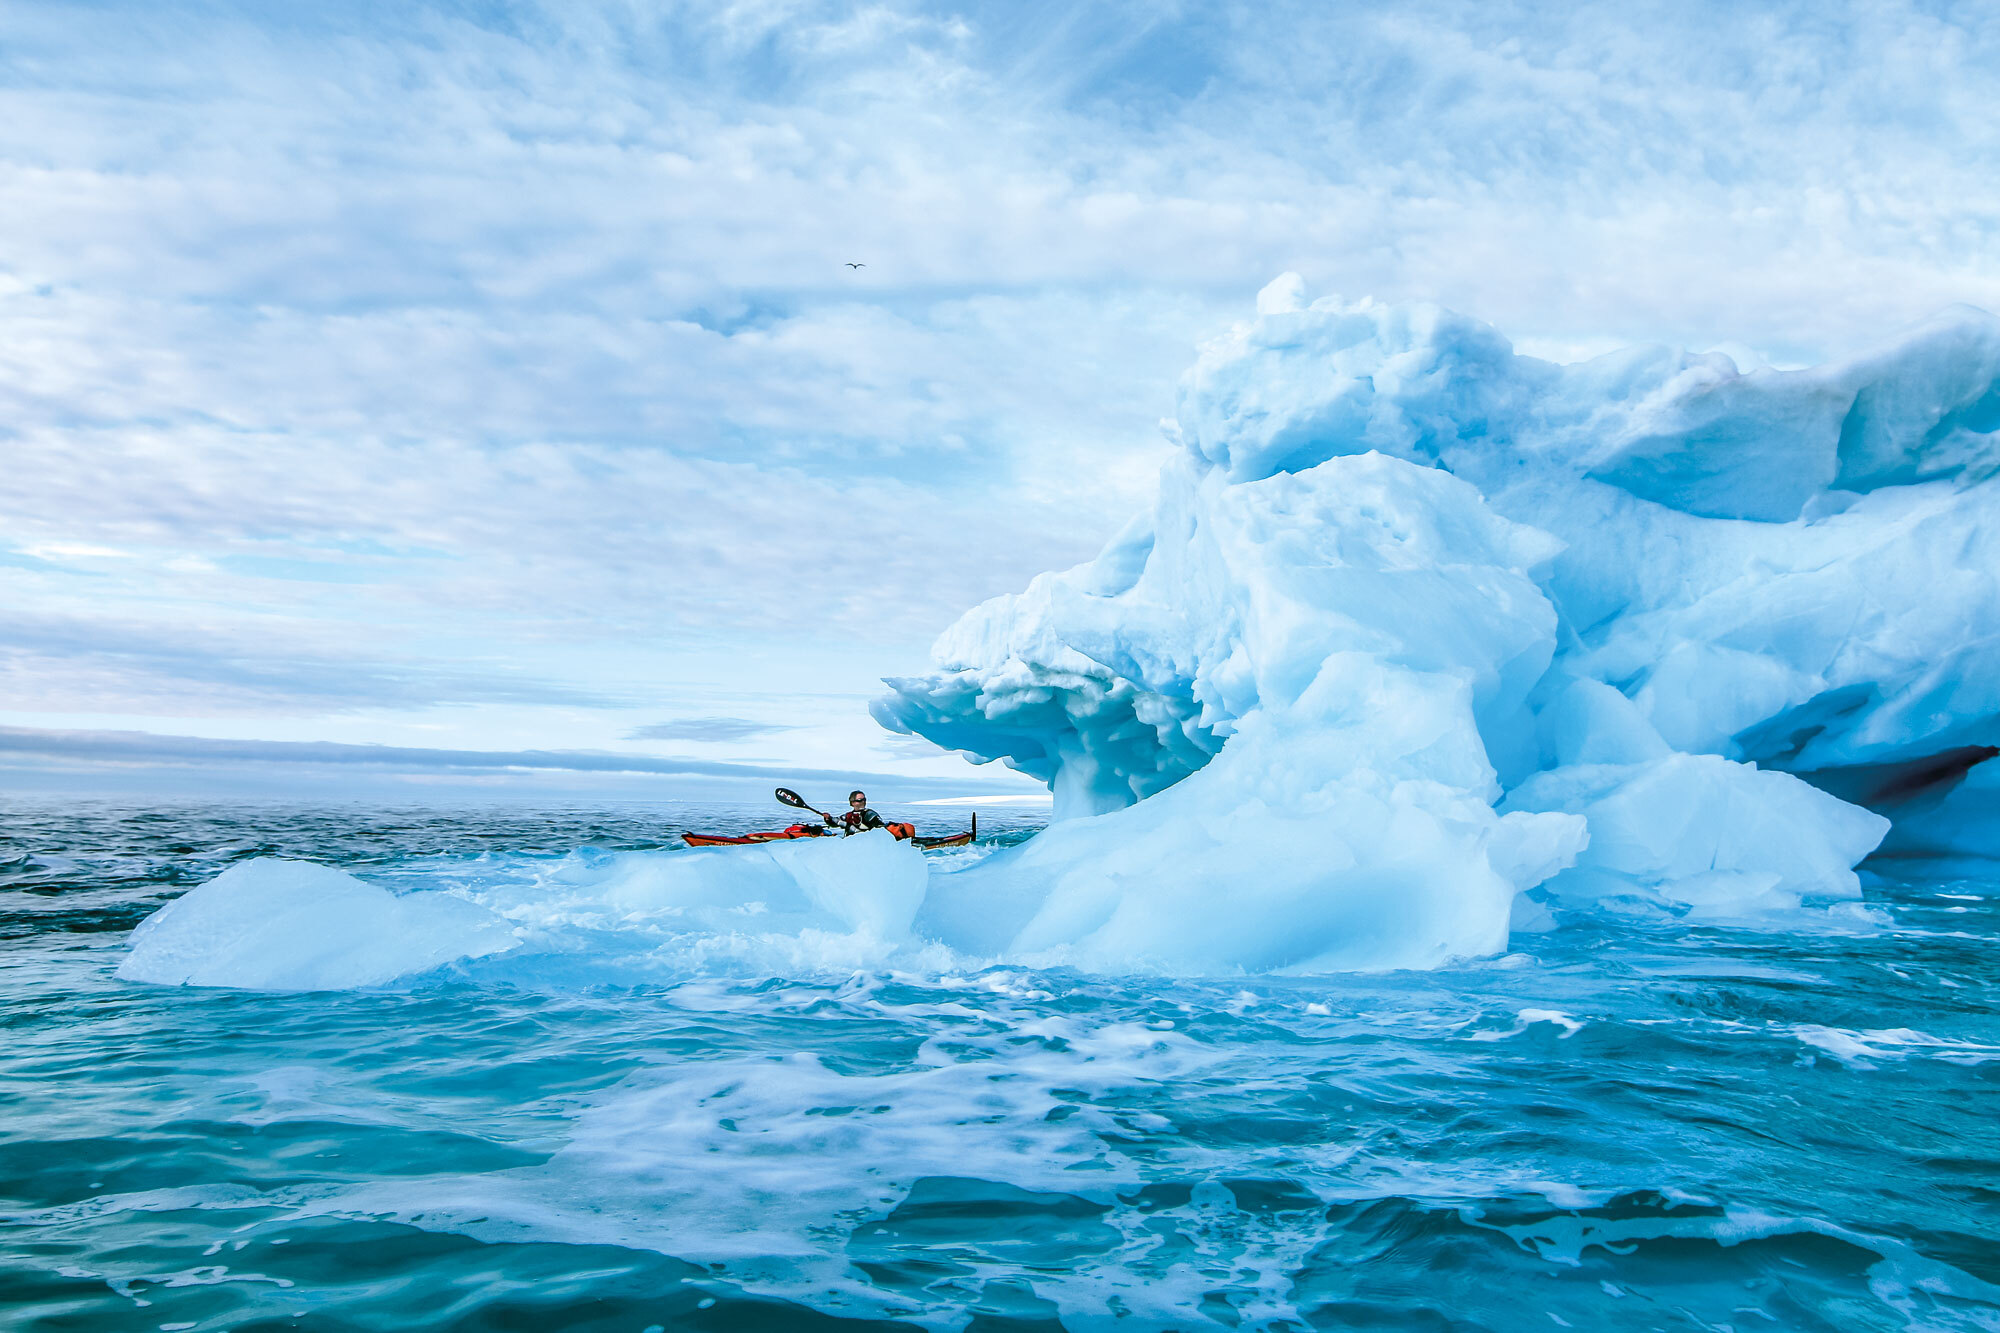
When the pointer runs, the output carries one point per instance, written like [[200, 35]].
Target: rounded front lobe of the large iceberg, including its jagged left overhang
[[1275, 613]]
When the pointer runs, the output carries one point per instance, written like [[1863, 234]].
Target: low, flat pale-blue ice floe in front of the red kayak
[[799, 908]]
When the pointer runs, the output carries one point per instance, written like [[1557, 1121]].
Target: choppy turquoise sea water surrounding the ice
[[1619, 1126]]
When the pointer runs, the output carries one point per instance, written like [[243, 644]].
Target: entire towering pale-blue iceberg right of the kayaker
[[1421, 621]]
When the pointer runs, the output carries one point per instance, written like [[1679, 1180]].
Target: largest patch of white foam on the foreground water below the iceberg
[[765, 1166]]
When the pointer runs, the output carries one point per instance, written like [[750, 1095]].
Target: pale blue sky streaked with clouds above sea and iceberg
[[463, 379]]
